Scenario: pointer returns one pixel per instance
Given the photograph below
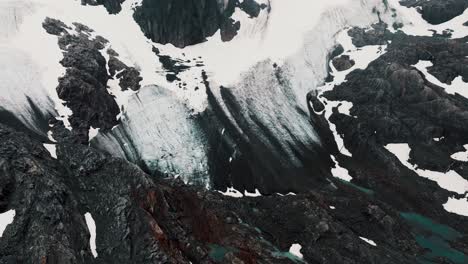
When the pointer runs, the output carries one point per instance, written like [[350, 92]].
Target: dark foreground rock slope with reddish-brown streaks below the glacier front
[[143, 219]]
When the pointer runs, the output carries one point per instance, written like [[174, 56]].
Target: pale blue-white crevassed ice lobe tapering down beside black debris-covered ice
[[160, 131]]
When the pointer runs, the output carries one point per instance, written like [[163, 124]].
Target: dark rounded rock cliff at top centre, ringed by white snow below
[[188, 22]]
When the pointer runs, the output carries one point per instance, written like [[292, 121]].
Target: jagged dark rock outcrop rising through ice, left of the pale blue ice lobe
[[84, 85]]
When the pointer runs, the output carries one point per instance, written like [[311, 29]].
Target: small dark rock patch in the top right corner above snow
[[437, 11]]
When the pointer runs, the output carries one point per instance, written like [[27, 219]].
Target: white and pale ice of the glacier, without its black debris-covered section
[[296, 36]]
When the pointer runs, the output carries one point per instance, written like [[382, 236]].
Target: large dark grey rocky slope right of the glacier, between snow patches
[[394, 103]]
